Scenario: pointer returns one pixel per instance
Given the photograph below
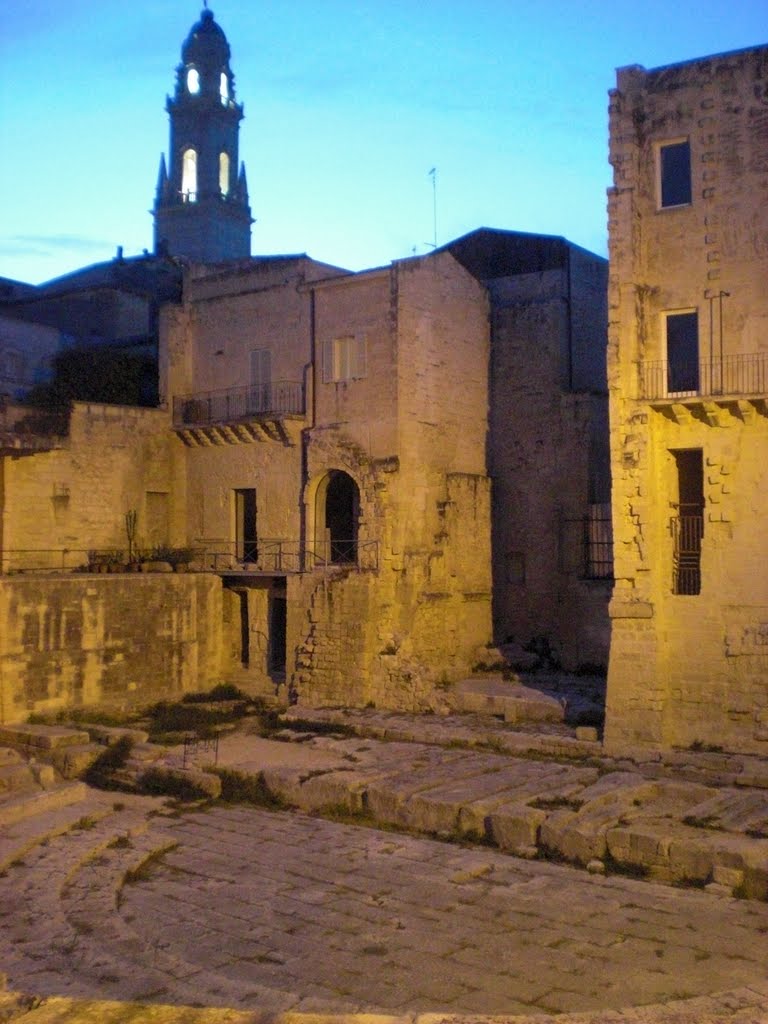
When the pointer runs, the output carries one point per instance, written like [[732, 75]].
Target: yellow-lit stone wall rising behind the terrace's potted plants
[[75, 497]]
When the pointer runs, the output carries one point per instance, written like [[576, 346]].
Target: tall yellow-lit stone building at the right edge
[[688, 374]]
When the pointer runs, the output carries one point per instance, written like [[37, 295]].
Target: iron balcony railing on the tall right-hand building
[[734, 375]]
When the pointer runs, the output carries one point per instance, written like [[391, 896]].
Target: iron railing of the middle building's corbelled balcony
[[274, 401]]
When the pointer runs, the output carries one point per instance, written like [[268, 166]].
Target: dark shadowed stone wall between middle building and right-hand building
[[544, 460]]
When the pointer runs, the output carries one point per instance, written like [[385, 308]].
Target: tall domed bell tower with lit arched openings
[[201, 205]]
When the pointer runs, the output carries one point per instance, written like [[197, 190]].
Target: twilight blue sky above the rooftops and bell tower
[[349, 105]]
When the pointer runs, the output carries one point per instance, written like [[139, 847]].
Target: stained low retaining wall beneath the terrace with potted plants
[[120, 642]]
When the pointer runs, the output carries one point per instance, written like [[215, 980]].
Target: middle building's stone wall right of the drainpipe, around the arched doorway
[[412, 436]]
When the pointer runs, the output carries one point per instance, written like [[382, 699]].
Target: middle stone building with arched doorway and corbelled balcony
[[385, 600]]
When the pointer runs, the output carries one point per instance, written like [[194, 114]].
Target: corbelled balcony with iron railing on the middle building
[[239, 415]]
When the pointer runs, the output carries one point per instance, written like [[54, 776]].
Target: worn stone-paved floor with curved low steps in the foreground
[[281, 912]]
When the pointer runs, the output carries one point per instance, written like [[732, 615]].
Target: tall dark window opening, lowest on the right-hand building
[[688, 527]]
